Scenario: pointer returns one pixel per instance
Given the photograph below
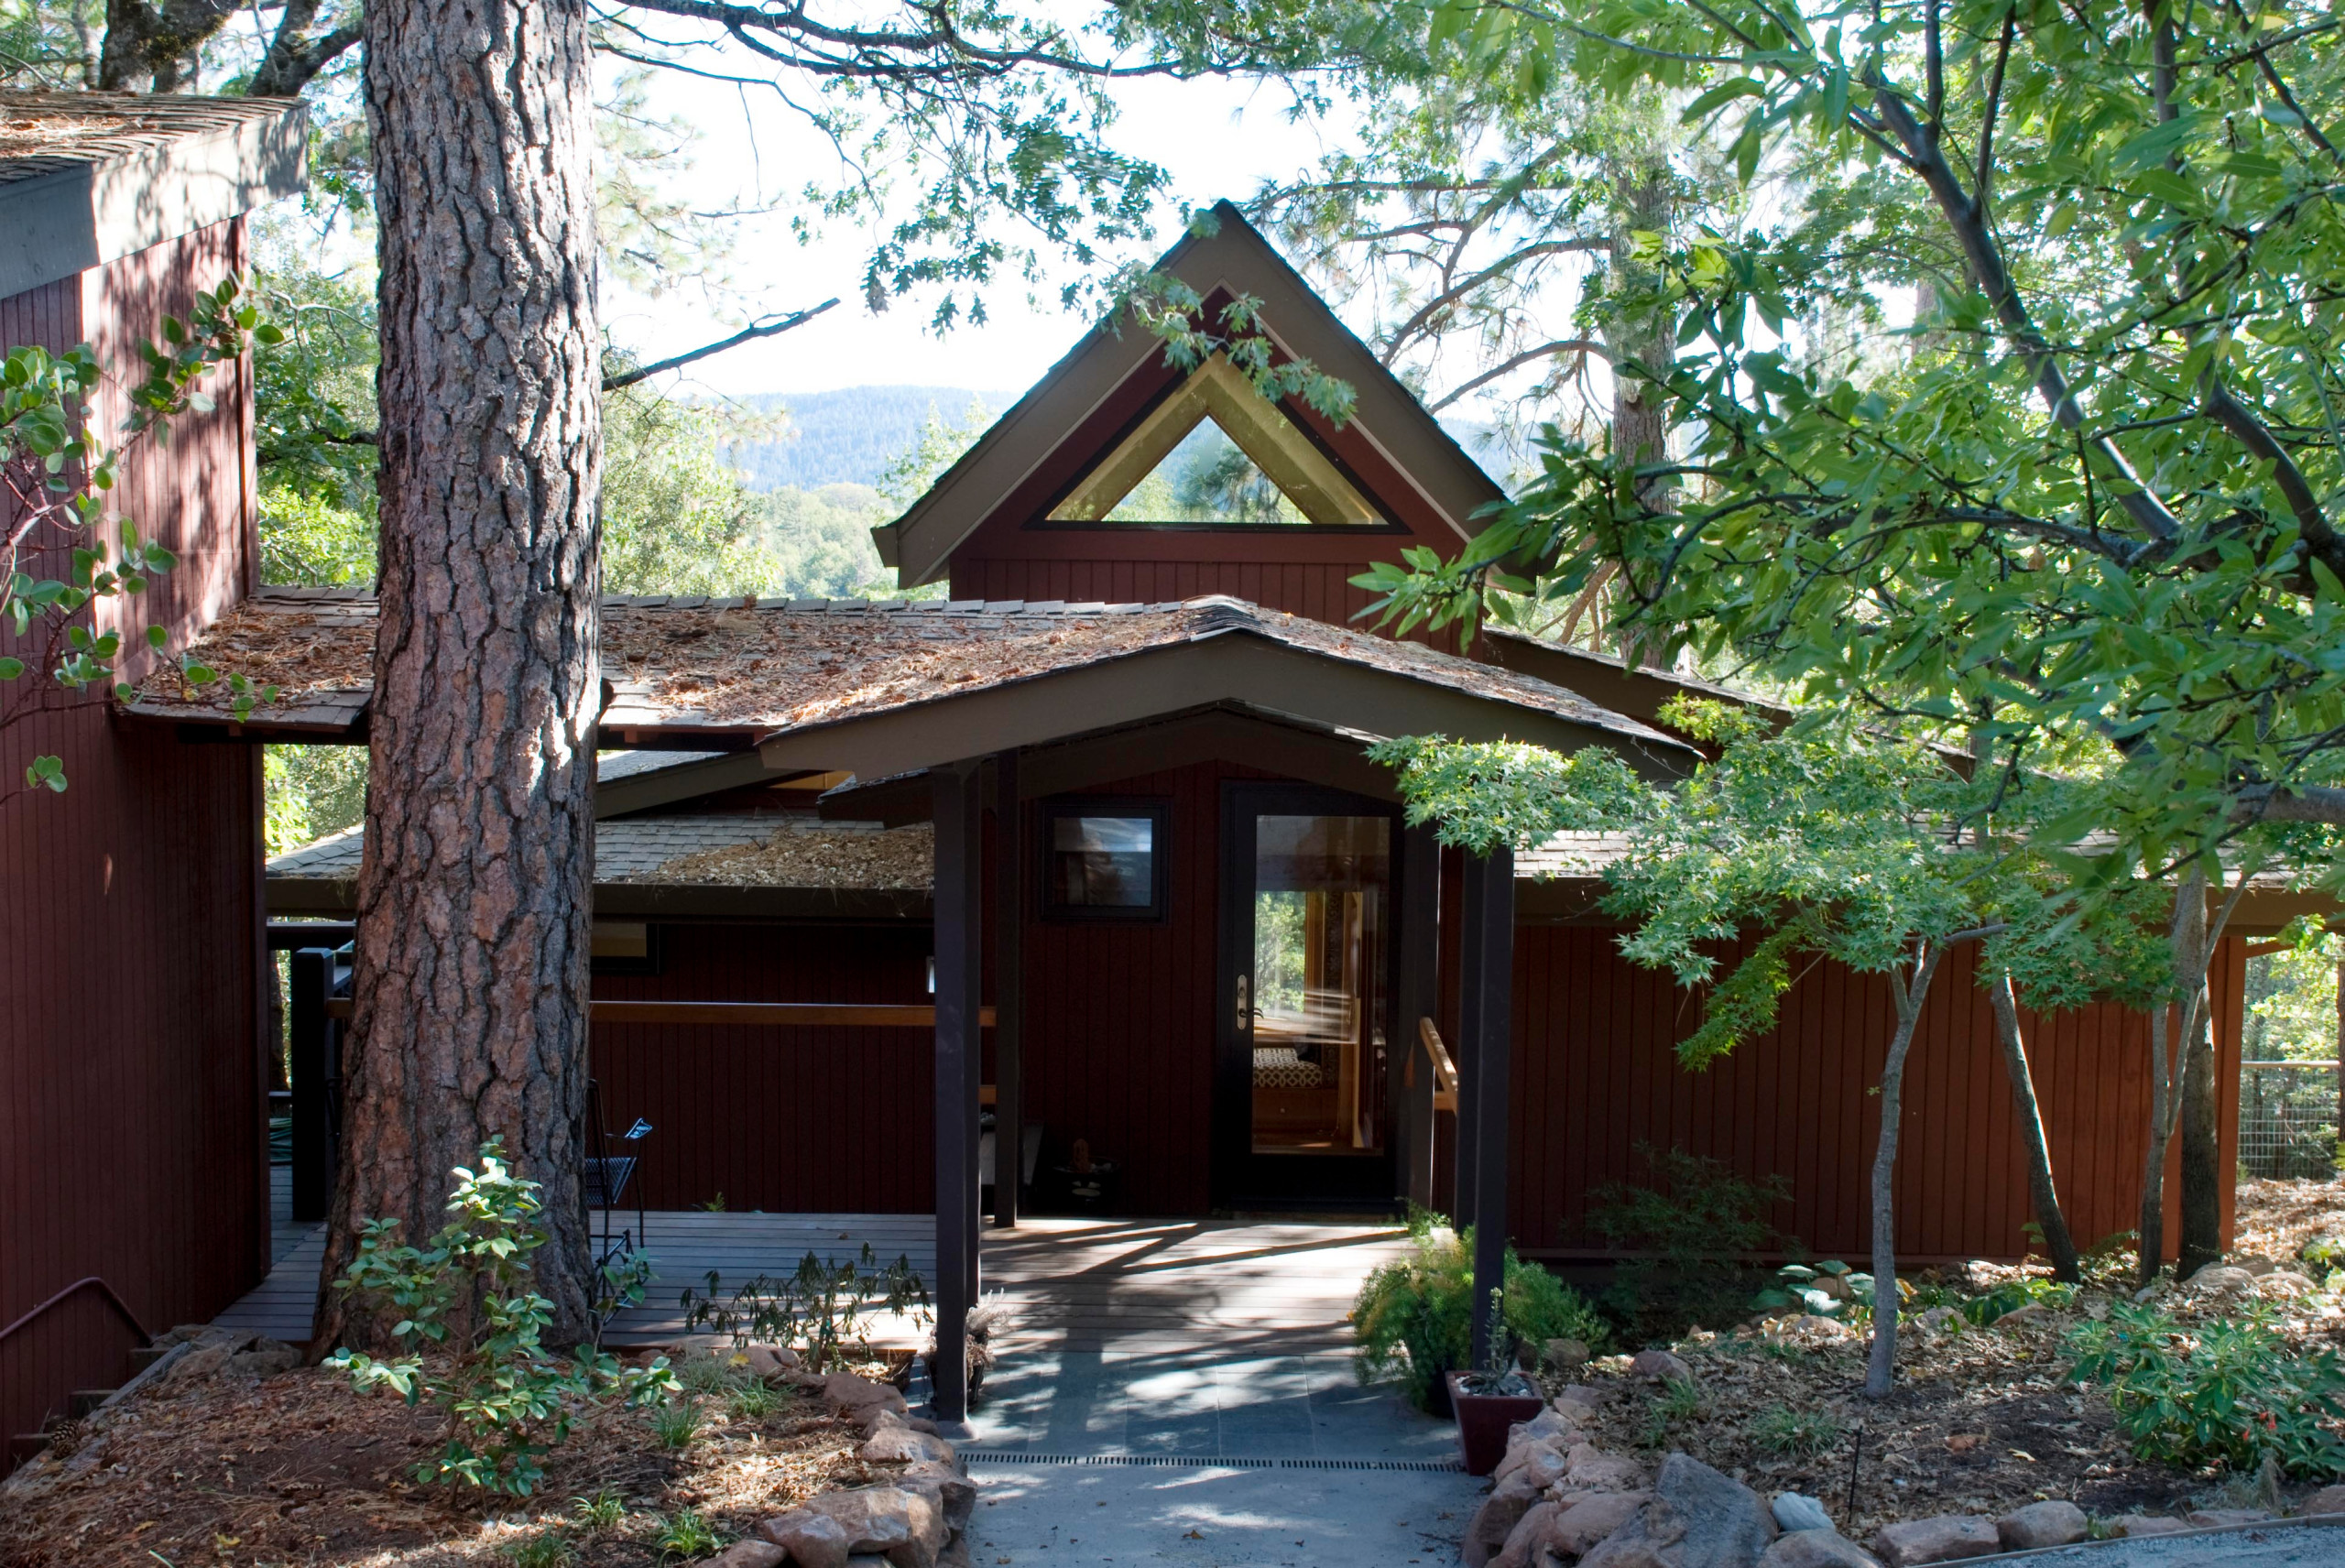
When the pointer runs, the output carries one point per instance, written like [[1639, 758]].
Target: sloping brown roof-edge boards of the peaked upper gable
[[1235, 259]]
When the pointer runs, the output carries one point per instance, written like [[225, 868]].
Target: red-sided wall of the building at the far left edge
[[130, 1047]]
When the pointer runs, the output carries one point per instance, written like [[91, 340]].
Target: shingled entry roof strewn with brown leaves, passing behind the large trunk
[[730, 674]]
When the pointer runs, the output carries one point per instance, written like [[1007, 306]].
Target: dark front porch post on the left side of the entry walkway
[[958, 1000]]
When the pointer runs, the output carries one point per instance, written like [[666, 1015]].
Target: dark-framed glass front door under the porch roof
[[1310, 897]]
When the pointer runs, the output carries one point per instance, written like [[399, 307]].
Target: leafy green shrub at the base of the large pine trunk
[[508, 1398]]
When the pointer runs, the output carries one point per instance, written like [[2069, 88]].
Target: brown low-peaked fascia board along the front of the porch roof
[[1232, 667]]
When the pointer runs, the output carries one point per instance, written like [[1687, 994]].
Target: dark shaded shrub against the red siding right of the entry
[[1692, 1227]]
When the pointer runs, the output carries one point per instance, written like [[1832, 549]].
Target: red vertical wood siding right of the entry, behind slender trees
[[1596, 1077]]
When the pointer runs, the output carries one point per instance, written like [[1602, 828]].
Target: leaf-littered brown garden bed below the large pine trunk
[[297, 1468]]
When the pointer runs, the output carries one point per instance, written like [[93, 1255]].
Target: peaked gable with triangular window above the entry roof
[[1099, 421]]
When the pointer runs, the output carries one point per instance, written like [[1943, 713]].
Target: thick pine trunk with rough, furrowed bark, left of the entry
[[470, 983]]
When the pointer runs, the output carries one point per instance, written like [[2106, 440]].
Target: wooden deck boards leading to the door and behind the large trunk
[[1120, 1286]]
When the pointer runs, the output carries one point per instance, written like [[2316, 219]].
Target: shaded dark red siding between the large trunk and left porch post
[[777, 1119]]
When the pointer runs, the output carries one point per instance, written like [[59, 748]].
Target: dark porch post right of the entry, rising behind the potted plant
[[1490, 981]]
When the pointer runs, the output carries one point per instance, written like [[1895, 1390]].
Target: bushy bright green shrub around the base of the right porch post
[[1415, 1314]]
